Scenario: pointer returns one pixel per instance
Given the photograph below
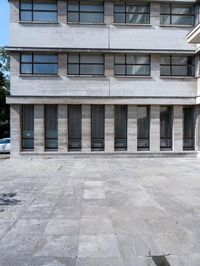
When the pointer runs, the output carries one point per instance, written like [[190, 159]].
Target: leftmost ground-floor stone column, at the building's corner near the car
[[15, 130]]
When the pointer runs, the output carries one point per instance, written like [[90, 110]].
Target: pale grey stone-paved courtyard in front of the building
[[89, 212]]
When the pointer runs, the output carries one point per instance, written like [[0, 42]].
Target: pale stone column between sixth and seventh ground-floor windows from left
[[155, 128]]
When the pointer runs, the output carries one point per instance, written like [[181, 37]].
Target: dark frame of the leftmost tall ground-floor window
[[23, 148]]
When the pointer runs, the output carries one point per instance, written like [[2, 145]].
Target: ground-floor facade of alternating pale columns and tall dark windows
[[56, 129]]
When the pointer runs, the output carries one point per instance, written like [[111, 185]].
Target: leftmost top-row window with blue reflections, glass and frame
[[38, 10]]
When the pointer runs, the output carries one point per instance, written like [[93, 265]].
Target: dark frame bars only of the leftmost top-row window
[[32, 10]]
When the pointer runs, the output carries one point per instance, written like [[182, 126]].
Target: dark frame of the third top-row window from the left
[[133, 13]]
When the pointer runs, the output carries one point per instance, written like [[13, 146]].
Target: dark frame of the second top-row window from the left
[[82, 12]]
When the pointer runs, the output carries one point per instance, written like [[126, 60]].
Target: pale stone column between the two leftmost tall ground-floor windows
[[39, 144]]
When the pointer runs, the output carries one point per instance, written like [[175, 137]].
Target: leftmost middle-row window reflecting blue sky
[[45, 64]]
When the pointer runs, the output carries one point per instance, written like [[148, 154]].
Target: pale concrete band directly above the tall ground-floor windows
[[100, 100]]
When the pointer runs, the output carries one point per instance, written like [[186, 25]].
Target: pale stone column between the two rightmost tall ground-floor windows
[[178, 128]]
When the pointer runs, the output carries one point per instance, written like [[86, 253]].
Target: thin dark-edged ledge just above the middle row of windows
[[99, 50]]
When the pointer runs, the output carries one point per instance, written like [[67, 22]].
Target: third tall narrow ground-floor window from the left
[[74, 127]]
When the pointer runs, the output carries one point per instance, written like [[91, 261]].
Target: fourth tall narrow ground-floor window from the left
[[97, 130]]
